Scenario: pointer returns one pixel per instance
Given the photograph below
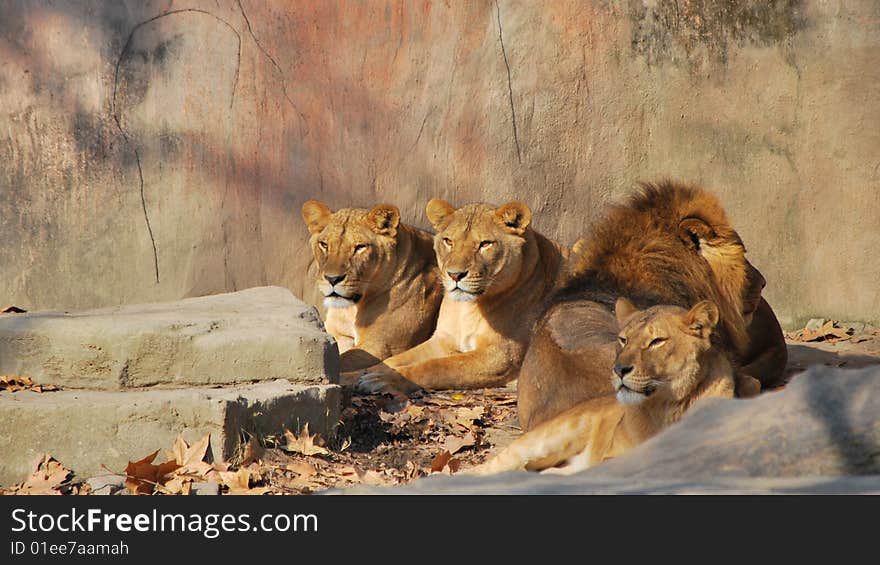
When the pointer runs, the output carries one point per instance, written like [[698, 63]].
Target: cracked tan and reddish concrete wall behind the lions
[[157, 150]]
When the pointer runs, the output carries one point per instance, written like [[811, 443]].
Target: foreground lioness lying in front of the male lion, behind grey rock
[[666, 361]]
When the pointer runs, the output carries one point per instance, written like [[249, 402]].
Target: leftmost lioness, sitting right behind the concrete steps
[[378, 278]]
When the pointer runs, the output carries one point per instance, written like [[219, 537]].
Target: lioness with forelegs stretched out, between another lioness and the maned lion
[[497, 272]]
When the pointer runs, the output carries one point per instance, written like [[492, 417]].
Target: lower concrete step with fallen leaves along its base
[[90, 430]]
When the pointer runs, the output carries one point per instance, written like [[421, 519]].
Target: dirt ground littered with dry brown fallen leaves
[[385, 440]]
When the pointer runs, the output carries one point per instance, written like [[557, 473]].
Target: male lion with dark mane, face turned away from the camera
[[670, 244]]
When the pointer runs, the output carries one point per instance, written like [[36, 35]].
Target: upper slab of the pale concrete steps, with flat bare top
[[257, 334]]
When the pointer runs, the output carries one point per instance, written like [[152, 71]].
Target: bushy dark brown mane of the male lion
[[646, 251]]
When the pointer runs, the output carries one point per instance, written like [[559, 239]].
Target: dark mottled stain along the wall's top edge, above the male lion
[[692, 32]]
